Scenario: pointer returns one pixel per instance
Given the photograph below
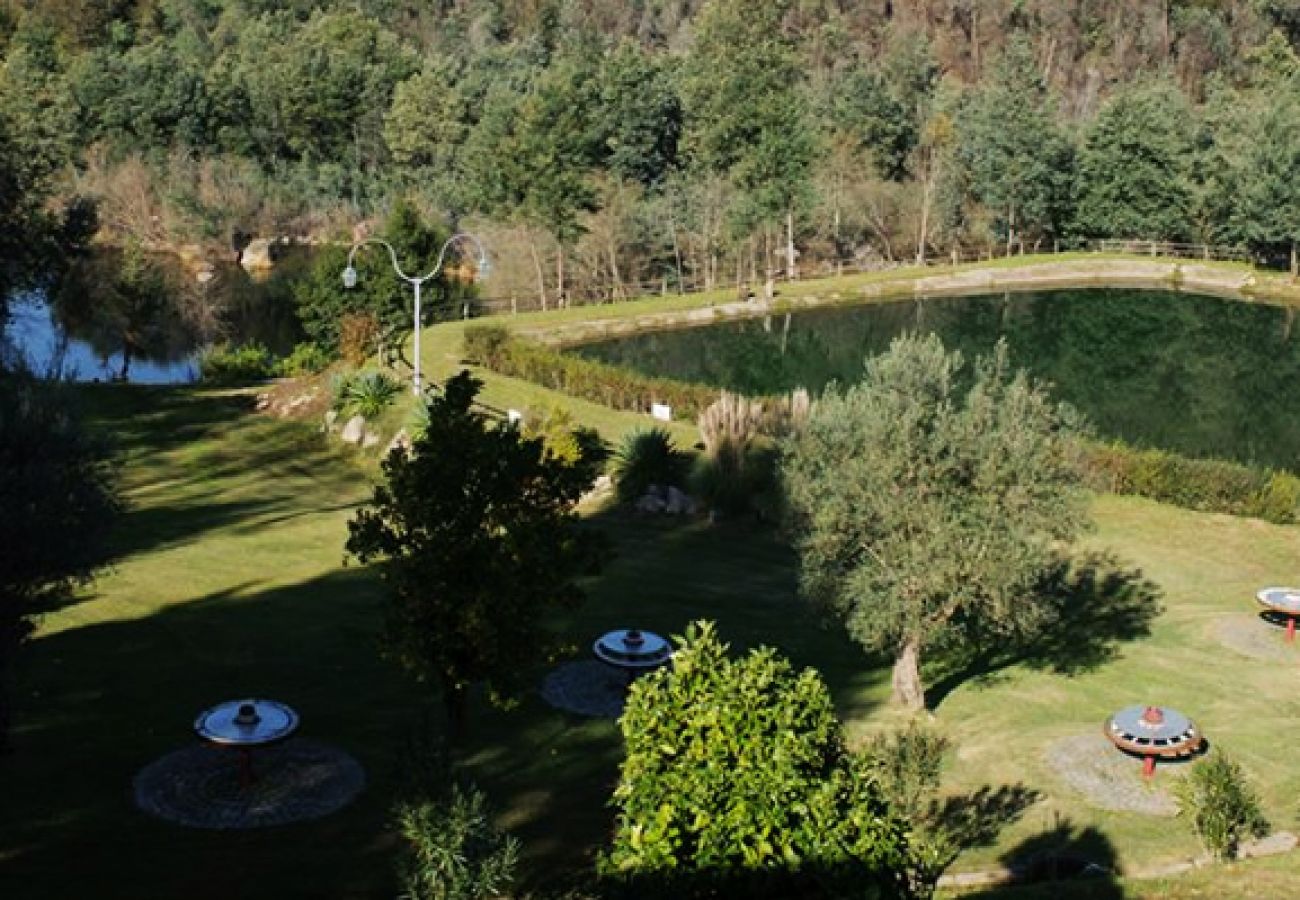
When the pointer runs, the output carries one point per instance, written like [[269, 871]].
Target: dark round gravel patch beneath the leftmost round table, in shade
[[294, 782]]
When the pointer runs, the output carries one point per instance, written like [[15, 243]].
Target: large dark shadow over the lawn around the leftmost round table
[[99, 703]]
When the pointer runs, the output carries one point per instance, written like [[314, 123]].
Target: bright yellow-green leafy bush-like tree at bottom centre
[[738, 782]]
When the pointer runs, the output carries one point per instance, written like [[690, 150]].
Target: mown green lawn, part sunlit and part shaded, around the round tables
[[229, 582]]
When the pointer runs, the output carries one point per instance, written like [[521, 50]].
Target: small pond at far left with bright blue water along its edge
[[88, 331]]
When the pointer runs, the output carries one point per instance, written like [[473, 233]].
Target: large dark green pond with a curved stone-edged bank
[[1198, 375]]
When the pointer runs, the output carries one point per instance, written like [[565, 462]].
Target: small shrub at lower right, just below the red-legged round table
[[1221, 806]]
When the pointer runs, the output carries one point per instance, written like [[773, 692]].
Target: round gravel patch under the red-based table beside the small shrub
[[1110, 778]]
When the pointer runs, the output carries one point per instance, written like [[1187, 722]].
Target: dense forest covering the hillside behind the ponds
[[603, 148]]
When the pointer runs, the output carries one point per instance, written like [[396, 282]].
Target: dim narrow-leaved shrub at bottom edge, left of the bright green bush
[[453, 853]]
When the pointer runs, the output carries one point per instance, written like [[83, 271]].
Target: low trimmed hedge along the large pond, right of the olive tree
[[1211, 486]]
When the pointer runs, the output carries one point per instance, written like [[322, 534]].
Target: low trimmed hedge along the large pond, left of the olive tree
[[495, 348]]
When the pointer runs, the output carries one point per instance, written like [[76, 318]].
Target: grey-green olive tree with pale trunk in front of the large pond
[[926, 514]]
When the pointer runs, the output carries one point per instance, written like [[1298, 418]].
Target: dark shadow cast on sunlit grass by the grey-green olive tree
[[1094, 605]]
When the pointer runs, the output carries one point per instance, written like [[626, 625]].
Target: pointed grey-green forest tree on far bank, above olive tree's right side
[[1020, 163]]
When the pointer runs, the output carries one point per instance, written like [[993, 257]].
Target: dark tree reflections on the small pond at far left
[[140, 306]]
